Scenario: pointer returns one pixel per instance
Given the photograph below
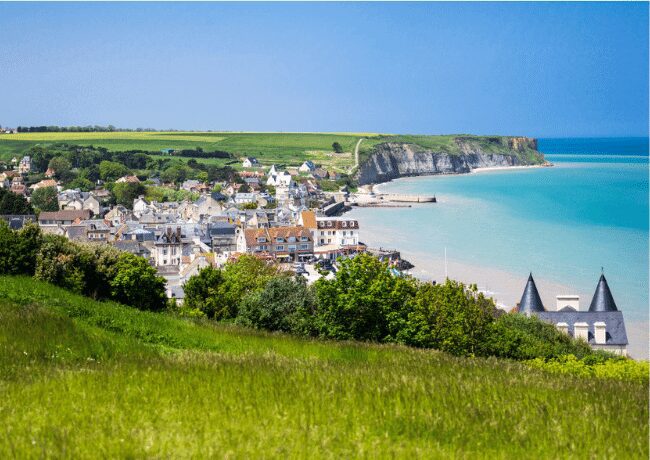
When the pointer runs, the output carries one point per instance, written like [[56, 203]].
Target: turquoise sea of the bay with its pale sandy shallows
[[564, 224]]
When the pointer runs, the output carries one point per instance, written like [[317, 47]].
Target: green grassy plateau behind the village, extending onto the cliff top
[[269, 148]]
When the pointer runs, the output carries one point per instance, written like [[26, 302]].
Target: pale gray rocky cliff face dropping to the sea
[[391, 160]]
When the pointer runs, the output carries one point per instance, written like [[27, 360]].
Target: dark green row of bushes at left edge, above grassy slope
[[95, 270]]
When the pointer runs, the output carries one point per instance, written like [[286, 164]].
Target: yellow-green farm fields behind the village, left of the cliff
[[269, 148]]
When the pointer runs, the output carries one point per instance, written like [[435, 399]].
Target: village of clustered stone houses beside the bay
[[299, 225]]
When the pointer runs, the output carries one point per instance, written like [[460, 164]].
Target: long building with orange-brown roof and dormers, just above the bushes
[[284, 243]]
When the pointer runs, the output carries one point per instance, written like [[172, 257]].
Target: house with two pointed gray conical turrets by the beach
[[601, 326]]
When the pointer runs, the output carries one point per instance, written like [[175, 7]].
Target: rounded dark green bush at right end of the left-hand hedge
[[137, 284]]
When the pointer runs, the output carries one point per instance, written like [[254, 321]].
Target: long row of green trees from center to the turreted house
[[365, 301]]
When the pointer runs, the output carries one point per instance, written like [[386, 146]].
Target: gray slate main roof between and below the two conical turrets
[[615, 326]]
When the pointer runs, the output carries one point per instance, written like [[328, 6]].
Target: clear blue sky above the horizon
[[535, 69]]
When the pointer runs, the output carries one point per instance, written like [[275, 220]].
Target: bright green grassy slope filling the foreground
[[85, 379]]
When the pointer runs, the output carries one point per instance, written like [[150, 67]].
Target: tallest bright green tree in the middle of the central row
[[364, 301]]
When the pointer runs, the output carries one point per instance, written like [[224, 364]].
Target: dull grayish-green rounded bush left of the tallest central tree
[[285, 304]]
